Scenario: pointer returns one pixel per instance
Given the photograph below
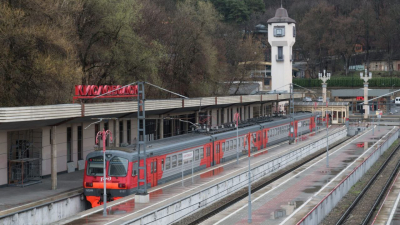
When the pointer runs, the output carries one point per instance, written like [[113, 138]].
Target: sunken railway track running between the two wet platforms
[[223, 204]]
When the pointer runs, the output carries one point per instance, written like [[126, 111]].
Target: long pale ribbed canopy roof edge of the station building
[[13, 118]]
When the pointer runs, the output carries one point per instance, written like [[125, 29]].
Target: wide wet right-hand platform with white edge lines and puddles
[[289, 199]]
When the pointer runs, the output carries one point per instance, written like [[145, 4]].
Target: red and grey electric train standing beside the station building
[[164, 160]]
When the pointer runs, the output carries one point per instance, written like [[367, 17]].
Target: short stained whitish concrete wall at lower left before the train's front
[[47, 213]]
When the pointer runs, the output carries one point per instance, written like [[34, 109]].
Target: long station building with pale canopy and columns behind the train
[[33, 138]]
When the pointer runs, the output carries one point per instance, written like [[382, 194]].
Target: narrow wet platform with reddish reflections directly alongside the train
[[124, 210]]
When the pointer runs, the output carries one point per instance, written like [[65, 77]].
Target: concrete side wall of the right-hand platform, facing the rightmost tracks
[[318, 213]]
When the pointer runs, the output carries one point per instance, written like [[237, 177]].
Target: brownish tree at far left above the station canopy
[[37, 59]]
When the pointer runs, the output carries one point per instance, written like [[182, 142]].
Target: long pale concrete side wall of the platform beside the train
[[184, 207]]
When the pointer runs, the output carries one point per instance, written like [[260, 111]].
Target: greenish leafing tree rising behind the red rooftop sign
[[109, 49]]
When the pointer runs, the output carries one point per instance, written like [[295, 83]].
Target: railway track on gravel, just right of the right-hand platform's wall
[[364, 205]]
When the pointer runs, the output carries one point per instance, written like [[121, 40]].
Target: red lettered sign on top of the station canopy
[[98, 91]]
